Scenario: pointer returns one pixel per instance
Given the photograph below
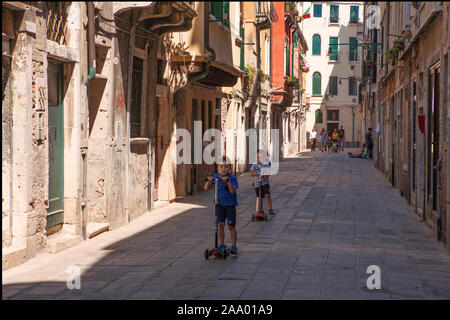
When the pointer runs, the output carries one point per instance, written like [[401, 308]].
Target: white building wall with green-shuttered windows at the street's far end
[[343, 102]]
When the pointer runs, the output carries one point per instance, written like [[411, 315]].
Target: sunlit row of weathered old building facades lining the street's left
[[97, 96]]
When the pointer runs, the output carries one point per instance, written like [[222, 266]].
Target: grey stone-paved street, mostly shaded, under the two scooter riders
[[335, 217]]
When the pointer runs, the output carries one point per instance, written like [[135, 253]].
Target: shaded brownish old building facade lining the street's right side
[[410, 105]]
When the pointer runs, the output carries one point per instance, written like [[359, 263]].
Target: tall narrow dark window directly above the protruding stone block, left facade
[[136, 91]]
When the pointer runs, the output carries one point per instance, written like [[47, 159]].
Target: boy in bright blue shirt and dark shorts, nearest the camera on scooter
[[227, 198]]
